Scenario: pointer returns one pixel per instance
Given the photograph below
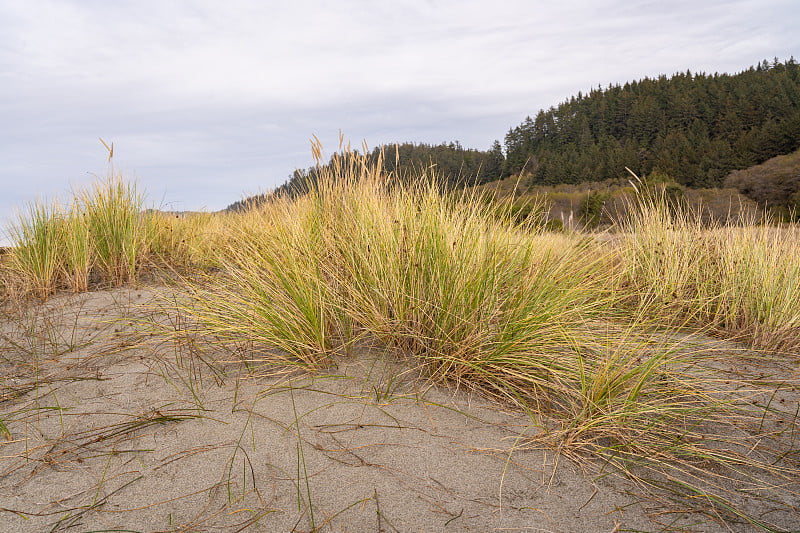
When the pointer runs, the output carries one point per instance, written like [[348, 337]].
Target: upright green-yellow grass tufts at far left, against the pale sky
[[105, 235]]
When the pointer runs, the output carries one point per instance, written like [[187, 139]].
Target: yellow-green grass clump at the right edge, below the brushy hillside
[[742, 280]]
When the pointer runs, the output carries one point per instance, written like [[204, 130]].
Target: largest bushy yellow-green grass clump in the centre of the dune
[[433, 273]]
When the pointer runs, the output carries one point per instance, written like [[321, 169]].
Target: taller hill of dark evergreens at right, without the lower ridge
[[695, 128]]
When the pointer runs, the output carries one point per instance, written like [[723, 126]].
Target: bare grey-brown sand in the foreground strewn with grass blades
[[115, 428]]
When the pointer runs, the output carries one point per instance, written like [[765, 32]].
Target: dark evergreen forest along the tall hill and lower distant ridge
[[692, 129]]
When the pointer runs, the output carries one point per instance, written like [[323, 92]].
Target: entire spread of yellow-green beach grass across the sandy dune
[[584, 333]]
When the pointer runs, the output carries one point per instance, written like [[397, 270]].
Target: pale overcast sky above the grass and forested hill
[[207, 100]]
